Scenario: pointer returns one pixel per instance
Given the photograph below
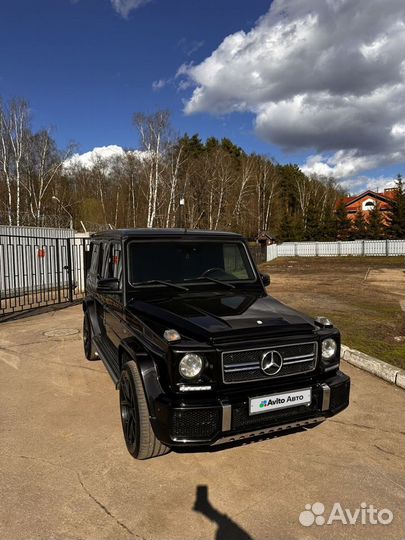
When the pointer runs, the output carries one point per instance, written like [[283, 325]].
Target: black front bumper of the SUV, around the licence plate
[[221, 420]]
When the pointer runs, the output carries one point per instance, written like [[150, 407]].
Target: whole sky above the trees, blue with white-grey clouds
[[319, 83]]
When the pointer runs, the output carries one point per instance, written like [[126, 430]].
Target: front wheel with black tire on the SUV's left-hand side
[[138, 433]]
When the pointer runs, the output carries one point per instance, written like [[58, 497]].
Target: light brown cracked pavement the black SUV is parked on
[[65, 472]]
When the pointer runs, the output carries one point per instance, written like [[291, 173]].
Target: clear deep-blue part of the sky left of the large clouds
[[85, 69]]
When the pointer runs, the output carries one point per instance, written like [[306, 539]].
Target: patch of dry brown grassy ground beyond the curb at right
[[363, 296]]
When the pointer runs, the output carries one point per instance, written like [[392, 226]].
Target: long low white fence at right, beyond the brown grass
[[384, 248]]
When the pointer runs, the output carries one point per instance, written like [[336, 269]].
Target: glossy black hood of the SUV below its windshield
[[217, 315]]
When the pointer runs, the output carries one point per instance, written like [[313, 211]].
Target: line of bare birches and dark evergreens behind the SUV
[[171, 181]]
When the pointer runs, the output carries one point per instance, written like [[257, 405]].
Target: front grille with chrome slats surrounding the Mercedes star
[[243, 366]]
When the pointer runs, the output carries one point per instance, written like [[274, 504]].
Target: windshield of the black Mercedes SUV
[[187, 261]]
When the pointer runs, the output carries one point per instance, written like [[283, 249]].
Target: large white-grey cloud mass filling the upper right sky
[[321, 75]]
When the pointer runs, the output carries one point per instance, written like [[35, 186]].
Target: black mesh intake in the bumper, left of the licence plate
[[195, 423]]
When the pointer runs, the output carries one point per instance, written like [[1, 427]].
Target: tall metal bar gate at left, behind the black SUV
[[38, 271]]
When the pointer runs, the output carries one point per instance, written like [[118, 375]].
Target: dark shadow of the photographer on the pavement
[[227, 528]]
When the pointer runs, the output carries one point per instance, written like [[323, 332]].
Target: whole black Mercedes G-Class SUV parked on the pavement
[[200, 353]]
